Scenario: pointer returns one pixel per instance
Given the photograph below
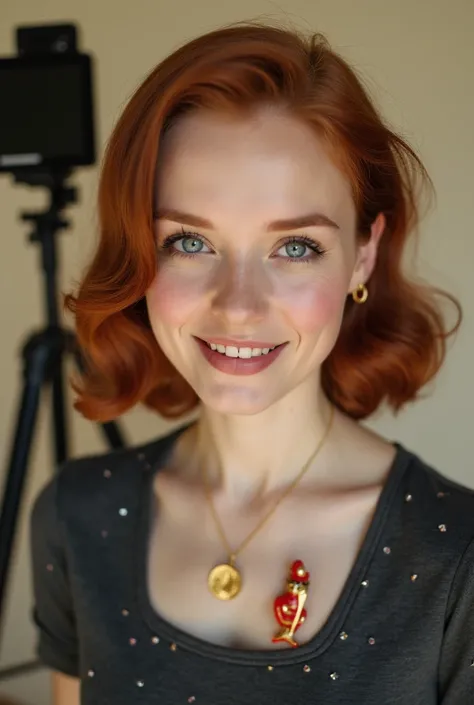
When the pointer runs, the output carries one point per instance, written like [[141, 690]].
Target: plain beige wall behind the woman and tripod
[[417, 57]]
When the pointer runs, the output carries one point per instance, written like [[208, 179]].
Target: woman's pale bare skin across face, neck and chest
[[256, 432]]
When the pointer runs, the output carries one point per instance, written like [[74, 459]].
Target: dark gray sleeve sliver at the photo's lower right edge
[[457, 656]]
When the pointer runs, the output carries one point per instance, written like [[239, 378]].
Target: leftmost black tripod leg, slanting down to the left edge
[[16, 471]]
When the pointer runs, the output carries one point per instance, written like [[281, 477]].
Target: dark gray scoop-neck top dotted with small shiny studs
[[402, 632]]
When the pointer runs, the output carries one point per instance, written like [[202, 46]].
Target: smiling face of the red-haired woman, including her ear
[[229, 270]]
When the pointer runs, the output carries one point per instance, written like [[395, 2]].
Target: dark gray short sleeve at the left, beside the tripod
[[52, 612]]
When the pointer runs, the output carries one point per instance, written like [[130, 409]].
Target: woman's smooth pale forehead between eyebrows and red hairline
[[269, 162]]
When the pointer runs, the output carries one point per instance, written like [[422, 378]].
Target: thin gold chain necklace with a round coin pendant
[[224, 580]]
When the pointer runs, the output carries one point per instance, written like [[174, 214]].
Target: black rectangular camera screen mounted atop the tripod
[[45, 114]]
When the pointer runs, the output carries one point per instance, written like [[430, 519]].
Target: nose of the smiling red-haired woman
[[242, 292]]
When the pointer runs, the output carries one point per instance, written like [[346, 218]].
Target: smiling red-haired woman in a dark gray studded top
[[254, 211]]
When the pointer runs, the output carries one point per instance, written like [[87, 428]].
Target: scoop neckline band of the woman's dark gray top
[[334, 623]]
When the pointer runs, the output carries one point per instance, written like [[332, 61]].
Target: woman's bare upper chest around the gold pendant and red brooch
[[184, 546]]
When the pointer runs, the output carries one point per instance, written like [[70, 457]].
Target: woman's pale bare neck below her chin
[[248, 457]]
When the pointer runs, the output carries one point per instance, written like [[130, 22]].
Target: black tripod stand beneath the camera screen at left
[[43, 365]]
